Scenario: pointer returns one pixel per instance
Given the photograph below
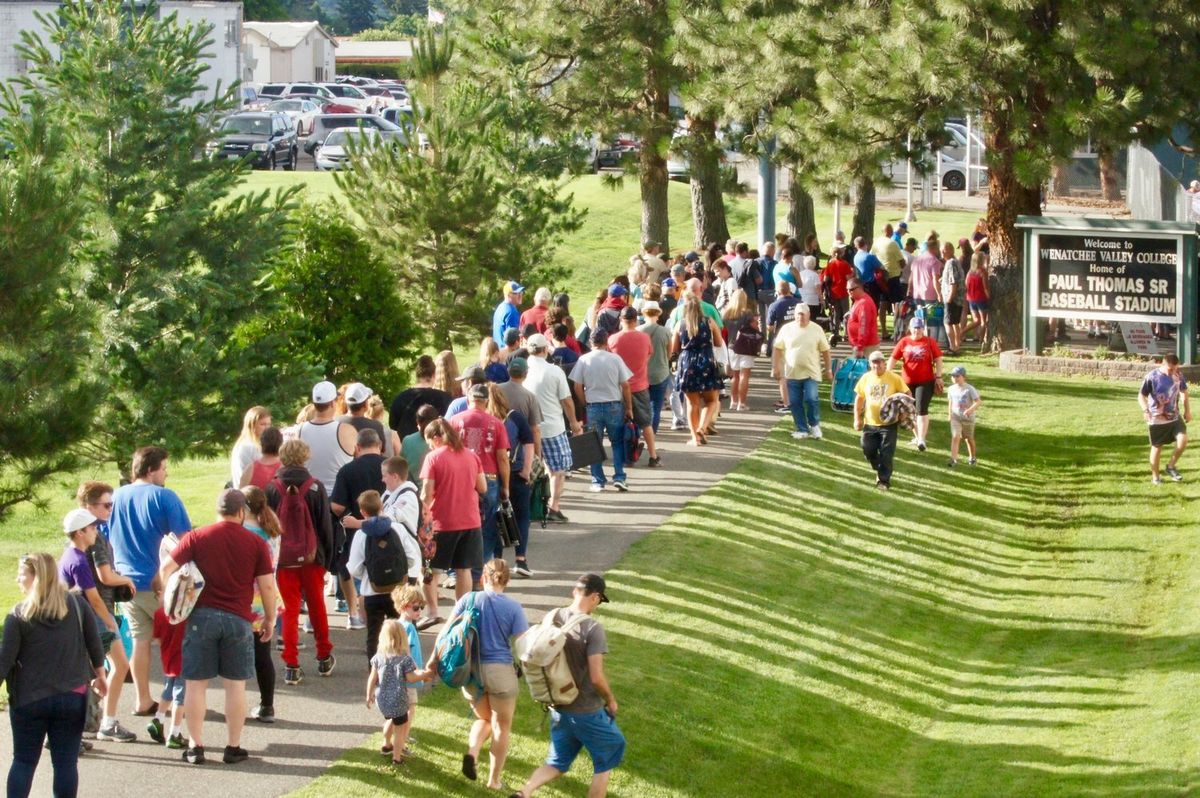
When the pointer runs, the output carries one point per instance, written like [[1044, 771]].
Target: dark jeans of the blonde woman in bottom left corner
[[61, 718]]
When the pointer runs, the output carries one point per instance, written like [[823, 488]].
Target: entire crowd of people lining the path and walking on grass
[[451, 476]]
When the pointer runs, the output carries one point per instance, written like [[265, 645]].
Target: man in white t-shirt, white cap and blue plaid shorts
[[549, 385]]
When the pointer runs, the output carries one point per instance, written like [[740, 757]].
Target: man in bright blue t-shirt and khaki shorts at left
[[143, 514]]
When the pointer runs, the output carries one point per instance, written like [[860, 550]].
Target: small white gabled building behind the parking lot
[[287, 52]]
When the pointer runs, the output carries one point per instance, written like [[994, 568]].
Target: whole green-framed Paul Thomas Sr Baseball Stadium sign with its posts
[[1111, 271]]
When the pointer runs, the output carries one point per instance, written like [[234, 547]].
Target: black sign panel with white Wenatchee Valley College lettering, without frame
[[1119, 278]]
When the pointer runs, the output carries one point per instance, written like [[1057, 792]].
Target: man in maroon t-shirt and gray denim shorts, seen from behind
[[220, 640]]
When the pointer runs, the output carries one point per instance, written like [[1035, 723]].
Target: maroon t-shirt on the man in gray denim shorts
[[230, 557]]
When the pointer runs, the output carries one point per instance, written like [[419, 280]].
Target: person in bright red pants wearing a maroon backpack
[[307, 549]]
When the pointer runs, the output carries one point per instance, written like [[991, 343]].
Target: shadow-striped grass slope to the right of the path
[[1024, 628]]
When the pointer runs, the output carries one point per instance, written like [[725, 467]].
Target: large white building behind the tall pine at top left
[[225, 56]]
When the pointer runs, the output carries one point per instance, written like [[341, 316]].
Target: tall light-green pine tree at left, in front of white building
[[170, 253]]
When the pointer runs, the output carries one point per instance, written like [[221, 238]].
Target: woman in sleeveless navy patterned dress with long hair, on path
[[699, 379]]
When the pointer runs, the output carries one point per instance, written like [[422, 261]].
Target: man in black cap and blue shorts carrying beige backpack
[[590, 721]]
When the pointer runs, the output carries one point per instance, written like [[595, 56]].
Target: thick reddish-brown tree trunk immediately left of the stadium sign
[[1007, 200]]
